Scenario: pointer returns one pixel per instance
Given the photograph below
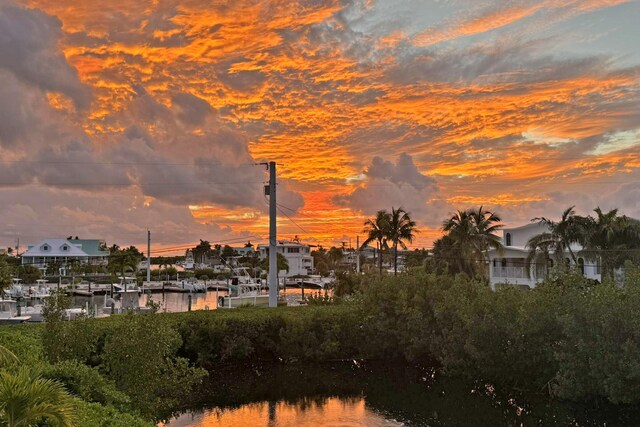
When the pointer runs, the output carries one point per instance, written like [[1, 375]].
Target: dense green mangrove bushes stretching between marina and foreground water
[[570, 337]]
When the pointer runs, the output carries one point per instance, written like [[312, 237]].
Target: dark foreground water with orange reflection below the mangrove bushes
[[353, 394]]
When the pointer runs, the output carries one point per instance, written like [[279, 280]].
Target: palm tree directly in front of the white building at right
[[556, 240]]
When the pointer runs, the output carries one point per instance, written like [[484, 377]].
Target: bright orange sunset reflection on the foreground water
[[320, 412]]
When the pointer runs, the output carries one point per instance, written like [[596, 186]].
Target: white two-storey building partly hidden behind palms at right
[[509, 266]]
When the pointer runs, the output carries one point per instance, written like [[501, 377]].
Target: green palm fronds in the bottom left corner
[[26, 400]]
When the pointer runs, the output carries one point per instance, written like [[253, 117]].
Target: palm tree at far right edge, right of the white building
[[611, 240]]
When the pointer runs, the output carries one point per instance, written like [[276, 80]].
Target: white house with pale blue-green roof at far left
[[86, 251]]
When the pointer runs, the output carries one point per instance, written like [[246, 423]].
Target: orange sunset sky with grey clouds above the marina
[[118, 115]]
